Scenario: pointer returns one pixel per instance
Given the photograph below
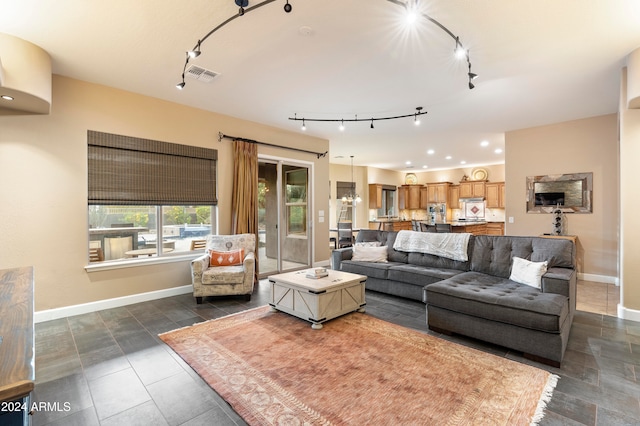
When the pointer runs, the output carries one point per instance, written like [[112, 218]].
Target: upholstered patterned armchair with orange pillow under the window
[[226, 268]]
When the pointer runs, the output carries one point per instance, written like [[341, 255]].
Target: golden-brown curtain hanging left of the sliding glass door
[[244, 209]]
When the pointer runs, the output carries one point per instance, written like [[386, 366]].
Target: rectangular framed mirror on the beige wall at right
[[572, 193]]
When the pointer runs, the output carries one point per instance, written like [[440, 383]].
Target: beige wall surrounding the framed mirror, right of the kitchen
[[580, 146]]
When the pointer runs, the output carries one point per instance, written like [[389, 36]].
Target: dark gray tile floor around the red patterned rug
[[110, 368]]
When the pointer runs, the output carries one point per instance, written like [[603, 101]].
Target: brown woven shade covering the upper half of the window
[[123, 170]]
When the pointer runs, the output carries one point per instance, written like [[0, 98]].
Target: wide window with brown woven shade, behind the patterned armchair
[[147, 198]]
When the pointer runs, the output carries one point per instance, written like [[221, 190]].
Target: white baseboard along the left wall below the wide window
[[68, 311]]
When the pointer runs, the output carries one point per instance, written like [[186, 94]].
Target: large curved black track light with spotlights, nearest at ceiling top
[[411, 6]]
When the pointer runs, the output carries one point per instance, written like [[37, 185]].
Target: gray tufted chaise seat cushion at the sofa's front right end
[[499, 299]]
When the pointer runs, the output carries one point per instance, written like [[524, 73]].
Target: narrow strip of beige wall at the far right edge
[[629, 204]]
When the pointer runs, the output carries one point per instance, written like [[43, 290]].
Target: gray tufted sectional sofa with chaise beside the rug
[[476, 297]]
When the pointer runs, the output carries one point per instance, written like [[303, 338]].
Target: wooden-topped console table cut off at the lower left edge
[[17, 348]]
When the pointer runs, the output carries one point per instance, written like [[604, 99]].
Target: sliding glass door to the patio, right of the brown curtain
[[284, 237]]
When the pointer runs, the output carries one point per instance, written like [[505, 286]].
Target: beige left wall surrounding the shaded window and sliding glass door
[[43, 170]]
